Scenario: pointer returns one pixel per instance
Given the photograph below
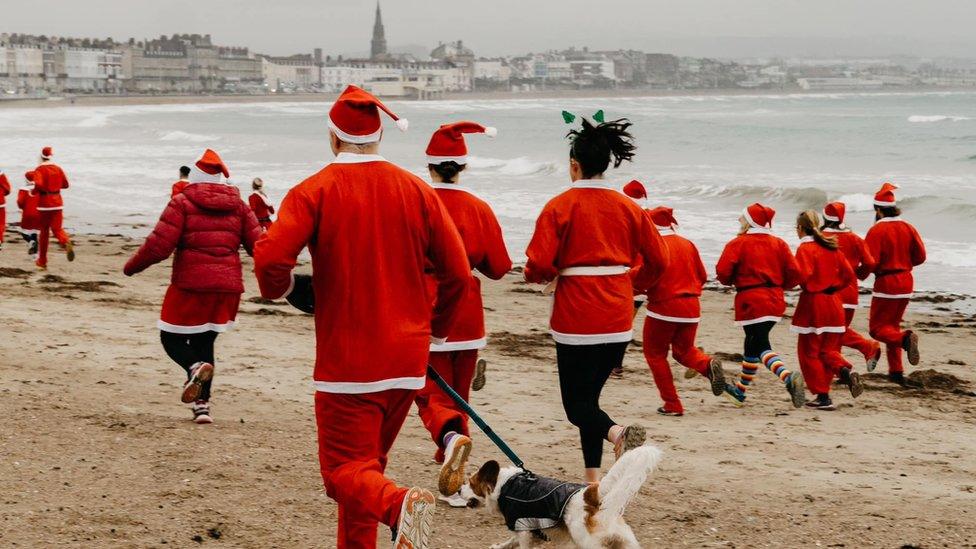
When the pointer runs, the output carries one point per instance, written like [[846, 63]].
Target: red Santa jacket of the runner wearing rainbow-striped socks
[[760, 266]]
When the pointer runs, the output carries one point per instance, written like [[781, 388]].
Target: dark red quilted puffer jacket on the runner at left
[[206, 225]]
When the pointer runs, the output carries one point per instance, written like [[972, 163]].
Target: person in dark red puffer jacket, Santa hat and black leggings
[[205, 225]]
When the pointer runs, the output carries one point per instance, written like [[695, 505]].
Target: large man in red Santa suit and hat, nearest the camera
[[375, 232]]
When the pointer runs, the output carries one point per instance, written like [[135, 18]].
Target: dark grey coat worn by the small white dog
[[532, 503]]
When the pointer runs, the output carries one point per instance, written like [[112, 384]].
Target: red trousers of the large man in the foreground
[[355, 434]]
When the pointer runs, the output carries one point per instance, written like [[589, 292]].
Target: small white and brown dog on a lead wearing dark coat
[[540, 509]]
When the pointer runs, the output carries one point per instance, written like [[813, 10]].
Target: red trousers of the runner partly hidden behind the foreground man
[[439, 411]]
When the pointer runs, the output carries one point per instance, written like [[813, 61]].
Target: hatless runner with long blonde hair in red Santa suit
[[819, 316]]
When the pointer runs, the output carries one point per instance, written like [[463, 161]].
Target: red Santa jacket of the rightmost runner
[[898, 248]]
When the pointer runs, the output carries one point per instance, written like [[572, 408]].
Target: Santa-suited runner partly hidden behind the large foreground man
[[456, 360]]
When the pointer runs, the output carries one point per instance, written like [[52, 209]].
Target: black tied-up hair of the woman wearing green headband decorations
[[593, 146]]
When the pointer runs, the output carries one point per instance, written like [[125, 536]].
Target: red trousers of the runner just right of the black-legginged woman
[[679, 337]]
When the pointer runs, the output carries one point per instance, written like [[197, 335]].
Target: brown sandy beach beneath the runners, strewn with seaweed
[[97, 451]]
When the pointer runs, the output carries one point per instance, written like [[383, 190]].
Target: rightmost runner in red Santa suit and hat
[[898, 248]]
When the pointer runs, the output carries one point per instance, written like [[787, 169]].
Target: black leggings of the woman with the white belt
[[583, 371]]
